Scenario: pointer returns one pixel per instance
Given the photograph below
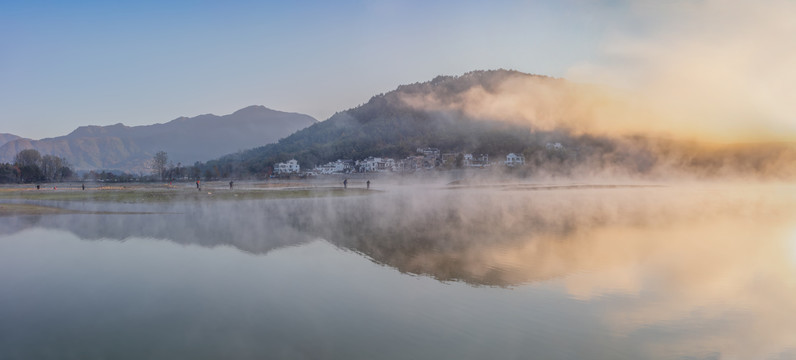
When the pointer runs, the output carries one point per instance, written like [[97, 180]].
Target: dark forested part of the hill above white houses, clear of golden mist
[[390, 125]]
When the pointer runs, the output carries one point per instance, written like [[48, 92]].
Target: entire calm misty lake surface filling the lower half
[[675, 272]]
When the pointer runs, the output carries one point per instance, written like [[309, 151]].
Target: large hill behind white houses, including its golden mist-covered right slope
[[562, 129]]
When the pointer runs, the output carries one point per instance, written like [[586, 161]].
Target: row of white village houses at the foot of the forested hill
[[426, 159]]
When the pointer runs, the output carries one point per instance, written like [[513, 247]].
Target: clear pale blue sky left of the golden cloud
[[72, 63]]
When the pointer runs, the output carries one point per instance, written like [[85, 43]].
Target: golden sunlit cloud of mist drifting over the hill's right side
[[708, 71]]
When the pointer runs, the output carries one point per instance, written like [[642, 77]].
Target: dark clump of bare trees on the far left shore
[[30, 166]]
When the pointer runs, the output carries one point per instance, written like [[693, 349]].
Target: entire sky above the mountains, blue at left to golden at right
[[68, 64]]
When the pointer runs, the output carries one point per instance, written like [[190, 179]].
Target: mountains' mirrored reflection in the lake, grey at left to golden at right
[[482, 237]]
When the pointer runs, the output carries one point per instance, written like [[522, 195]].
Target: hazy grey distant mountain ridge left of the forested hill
[[186, 140]]
